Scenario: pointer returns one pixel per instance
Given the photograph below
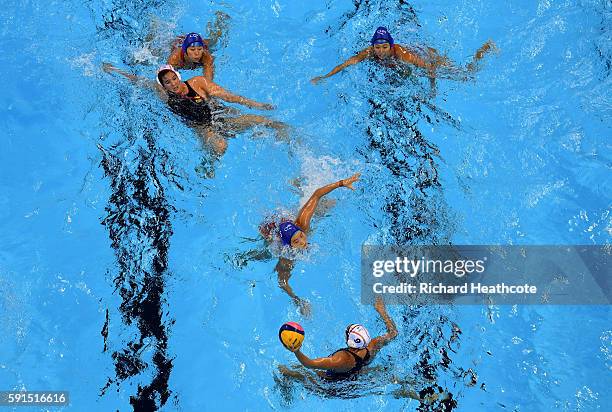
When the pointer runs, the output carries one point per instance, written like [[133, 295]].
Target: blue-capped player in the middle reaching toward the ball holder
[[294, 234]]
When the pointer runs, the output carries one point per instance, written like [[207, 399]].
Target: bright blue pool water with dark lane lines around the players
[[120, 277]]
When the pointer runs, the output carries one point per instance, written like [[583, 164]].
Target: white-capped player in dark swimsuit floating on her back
[[192, 101]]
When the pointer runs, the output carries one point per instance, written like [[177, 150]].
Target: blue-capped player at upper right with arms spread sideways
[[383, 50]]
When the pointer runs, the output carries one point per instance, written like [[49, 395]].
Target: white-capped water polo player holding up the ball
[[346, 363]]
